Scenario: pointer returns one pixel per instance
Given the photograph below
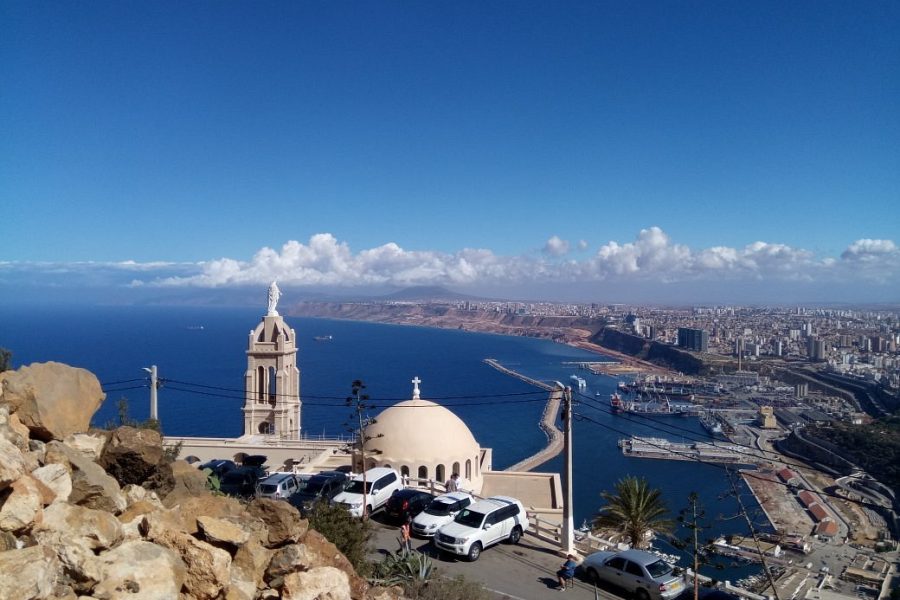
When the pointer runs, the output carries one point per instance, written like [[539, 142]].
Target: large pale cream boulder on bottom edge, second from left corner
[[139, 569]]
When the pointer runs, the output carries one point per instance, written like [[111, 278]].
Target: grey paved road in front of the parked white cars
[[526, 571]]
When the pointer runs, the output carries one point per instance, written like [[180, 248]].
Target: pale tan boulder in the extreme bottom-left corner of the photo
[[36, 570]]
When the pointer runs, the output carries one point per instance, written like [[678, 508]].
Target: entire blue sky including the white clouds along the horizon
[[503, 147]]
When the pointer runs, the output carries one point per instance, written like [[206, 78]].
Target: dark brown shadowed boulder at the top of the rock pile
[[132, 455]]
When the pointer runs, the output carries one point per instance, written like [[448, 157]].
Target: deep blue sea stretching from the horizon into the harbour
[[200, 353]]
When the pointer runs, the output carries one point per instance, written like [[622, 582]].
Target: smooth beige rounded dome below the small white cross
[[419, 431]]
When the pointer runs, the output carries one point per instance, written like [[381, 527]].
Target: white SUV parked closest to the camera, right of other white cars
[[482, 524]]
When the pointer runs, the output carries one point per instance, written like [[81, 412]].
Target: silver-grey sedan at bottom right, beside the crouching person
[[637, 572]]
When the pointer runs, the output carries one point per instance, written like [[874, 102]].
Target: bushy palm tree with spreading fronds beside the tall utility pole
[[634, 510]]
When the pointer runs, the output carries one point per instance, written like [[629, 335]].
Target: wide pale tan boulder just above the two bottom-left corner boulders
[[95, 529]]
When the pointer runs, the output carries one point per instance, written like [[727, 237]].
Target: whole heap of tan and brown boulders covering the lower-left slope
[[68, 530]]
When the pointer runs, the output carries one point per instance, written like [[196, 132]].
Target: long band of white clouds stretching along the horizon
[[325, 261]]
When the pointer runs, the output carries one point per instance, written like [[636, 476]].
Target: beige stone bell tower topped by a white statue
[[272, 381]]
